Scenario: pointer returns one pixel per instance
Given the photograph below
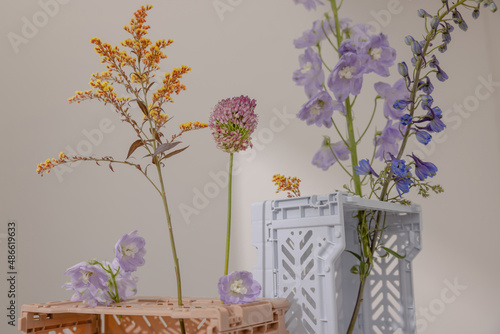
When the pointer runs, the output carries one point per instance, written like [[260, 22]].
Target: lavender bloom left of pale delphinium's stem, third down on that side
[[319, 110]]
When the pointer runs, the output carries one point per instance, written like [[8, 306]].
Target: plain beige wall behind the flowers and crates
[[244, 48]]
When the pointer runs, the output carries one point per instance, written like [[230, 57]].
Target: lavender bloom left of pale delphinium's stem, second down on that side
[[311, 74]]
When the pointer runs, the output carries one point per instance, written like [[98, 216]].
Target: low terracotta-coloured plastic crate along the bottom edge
[[156, 315]]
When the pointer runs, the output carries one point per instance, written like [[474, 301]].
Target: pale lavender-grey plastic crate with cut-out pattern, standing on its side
[[301, 242]]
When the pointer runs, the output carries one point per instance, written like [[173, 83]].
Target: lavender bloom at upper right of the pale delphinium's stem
[[382, 56]]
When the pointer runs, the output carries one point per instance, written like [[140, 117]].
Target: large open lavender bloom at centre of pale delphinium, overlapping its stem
[[347, 76]]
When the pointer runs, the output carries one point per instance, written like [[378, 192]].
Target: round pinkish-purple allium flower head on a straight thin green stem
[[232, 123]]
